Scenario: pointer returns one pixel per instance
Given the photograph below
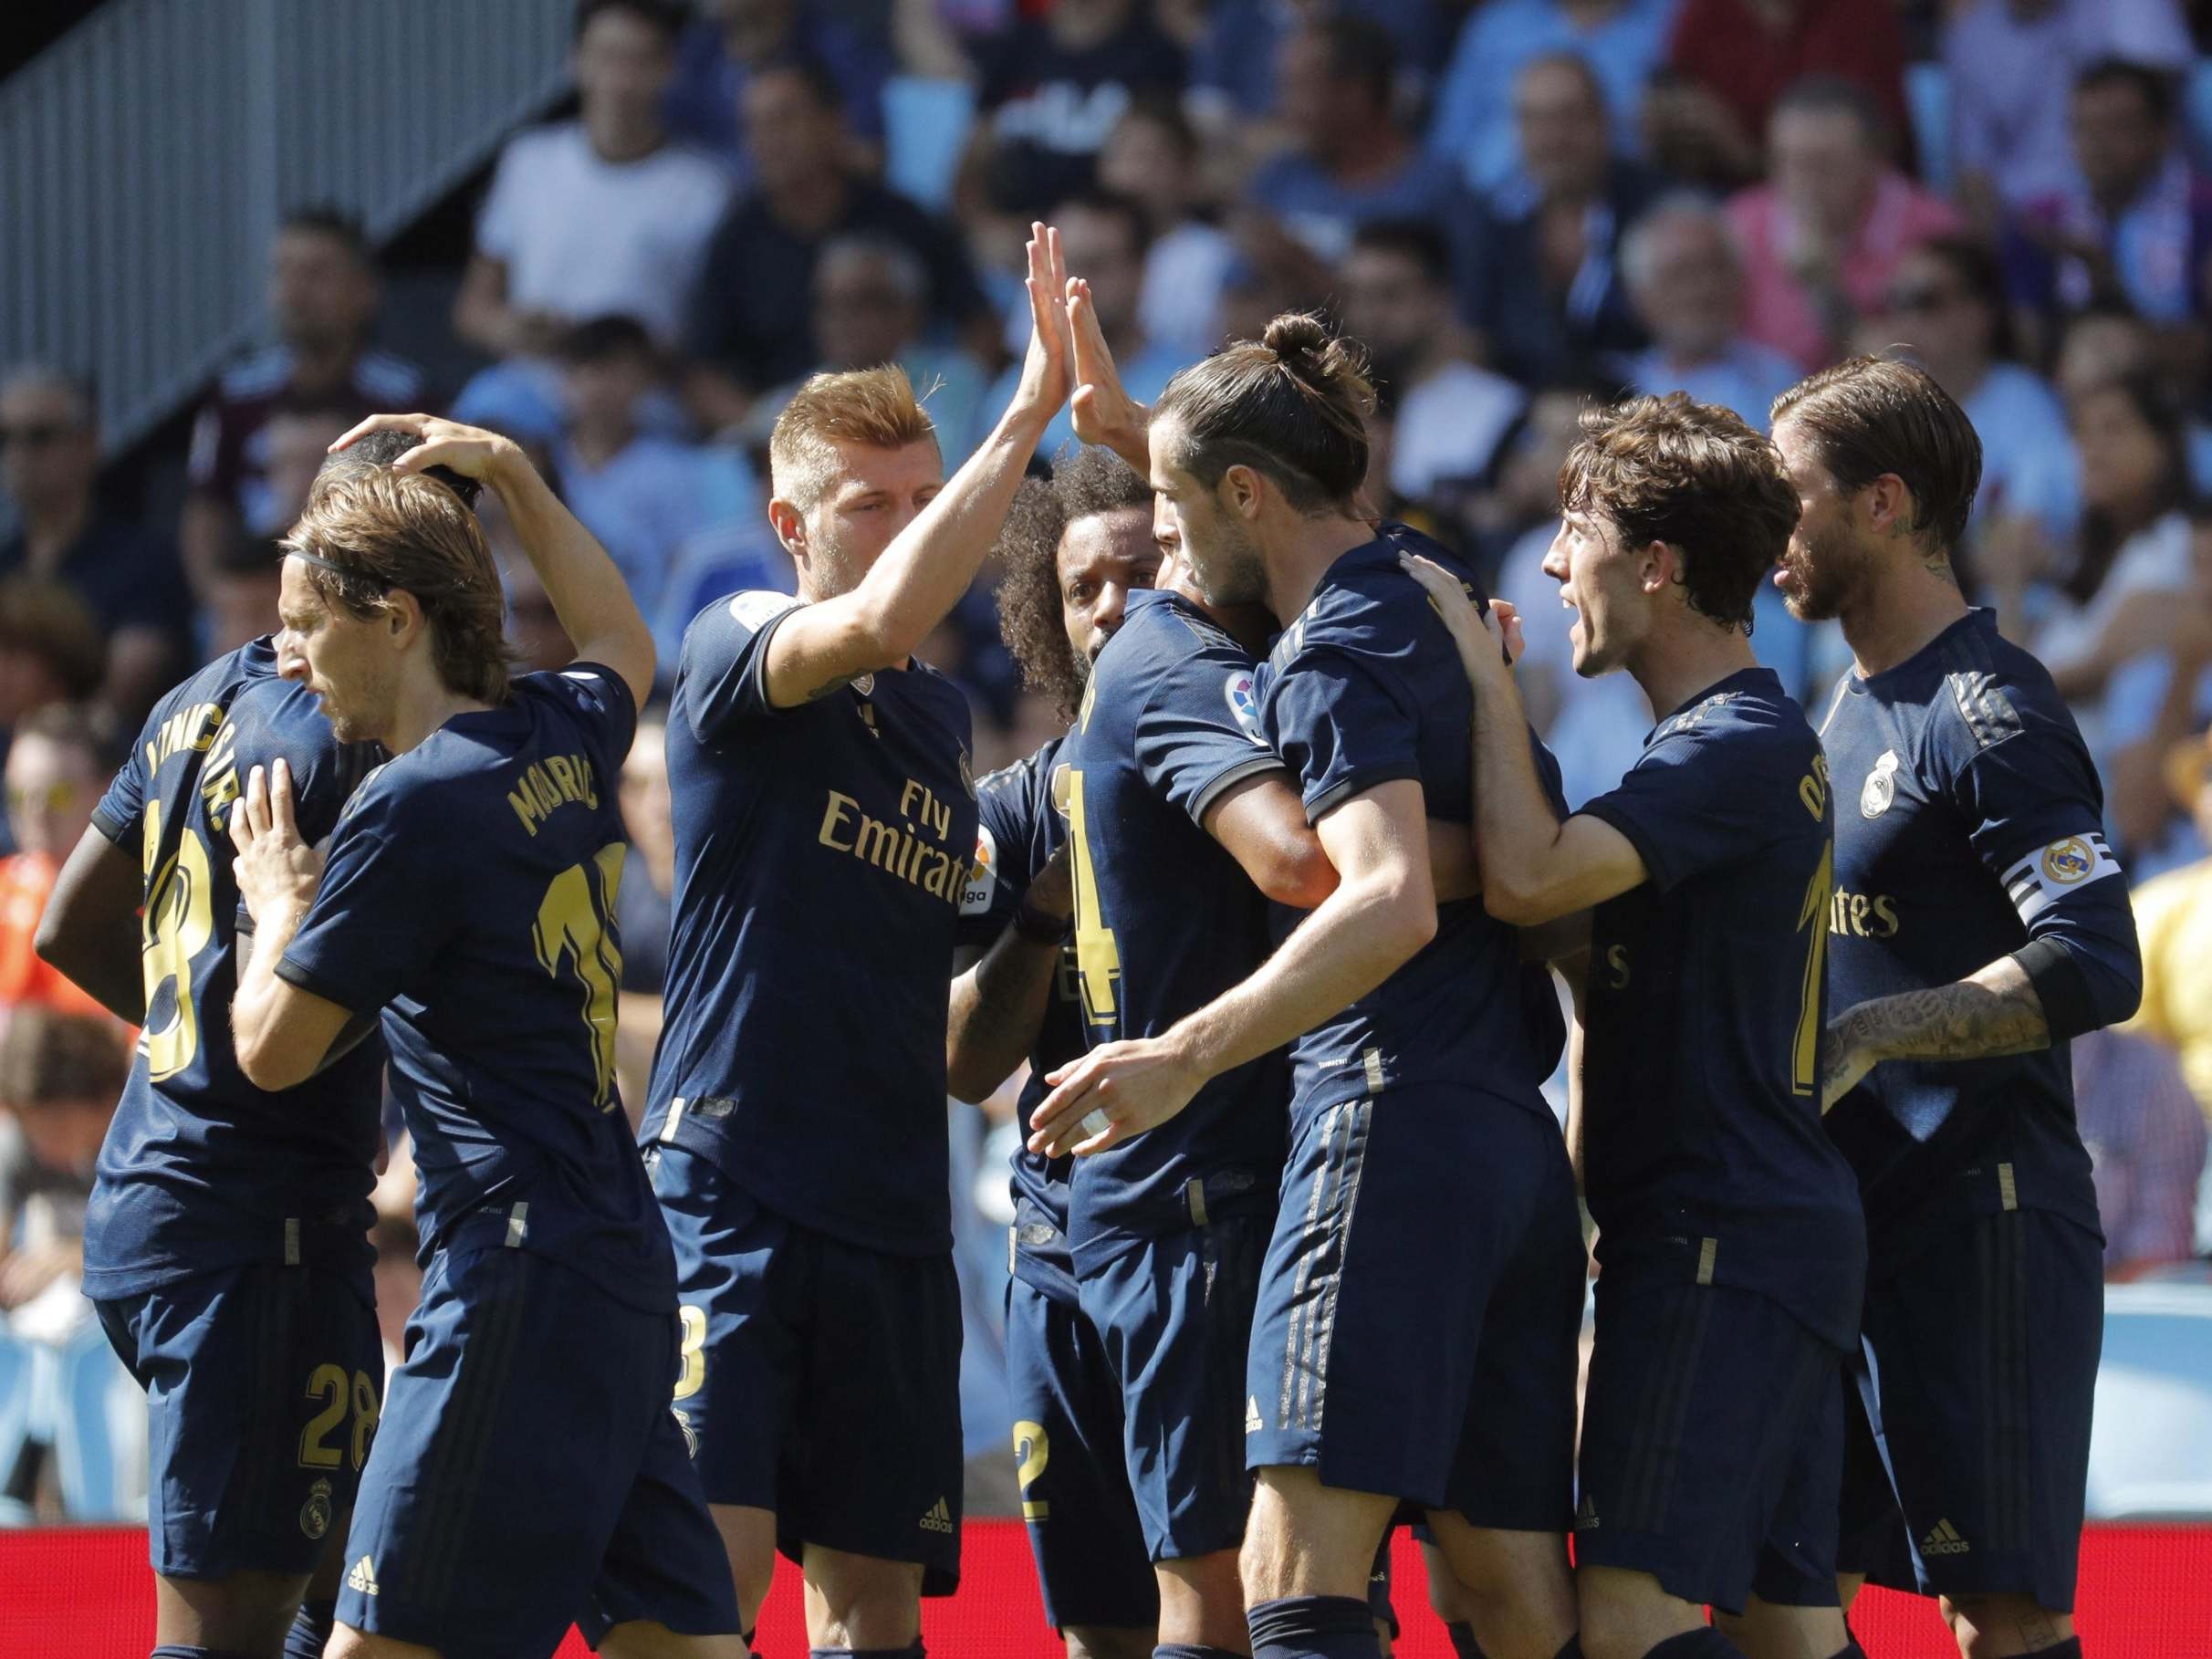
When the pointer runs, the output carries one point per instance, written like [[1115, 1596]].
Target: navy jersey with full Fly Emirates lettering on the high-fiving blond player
[[822, 857]]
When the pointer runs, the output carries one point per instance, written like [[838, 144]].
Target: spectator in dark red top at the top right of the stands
[[1731, 65]]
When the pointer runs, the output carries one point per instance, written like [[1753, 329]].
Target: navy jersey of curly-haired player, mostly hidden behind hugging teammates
[[1019, 831]]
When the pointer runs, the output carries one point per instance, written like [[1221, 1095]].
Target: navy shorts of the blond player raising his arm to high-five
[[822, 1379]]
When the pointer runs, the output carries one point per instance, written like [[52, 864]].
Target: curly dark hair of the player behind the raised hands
[[1030, 618]]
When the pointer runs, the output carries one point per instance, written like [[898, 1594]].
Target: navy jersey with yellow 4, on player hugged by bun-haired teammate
[[1165, 917]]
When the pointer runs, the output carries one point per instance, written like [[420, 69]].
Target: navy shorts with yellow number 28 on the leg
[[262, 1399]]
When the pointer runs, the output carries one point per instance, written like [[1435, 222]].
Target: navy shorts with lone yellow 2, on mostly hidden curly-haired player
[[1067, 1446]]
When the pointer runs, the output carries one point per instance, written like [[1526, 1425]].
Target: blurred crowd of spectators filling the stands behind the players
[[1516, 205]]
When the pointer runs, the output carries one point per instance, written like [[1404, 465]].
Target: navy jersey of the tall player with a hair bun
[[1364, 689]]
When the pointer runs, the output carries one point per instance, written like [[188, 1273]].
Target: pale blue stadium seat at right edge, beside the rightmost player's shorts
[[2151, 1450]]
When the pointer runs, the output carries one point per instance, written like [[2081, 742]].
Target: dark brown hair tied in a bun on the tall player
[[1291, 406]]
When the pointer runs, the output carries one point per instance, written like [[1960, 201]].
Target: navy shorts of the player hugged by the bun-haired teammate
[[1176, 1315]]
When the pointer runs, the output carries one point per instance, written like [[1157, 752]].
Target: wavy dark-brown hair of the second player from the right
[[1698, 479]]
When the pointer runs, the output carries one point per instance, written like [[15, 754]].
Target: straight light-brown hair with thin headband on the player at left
[[386, 532]]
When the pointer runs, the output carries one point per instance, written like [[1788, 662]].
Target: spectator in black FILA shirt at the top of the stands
[[1052, 90]]
